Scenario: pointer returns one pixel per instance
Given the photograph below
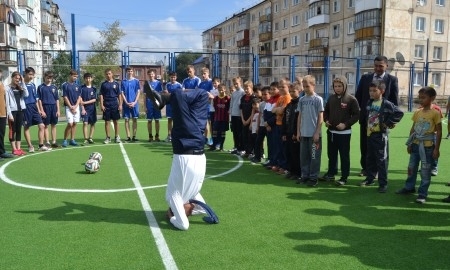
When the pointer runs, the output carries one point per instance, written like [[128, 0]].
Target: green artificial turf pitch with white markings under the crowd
[[56, 216]]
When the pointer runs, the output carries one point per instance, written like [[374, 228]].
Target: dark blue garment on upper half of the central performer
[[189, 120]]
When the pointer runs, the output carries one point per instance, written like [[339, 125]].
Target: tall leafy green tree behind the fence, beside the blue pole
[[106, 53]]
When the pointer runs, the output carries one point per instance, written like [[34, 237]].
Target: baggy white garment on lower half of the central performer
[[185, 181]]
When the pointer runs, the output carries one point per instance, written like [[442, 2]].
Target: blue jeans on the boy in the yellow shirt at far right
[[425, 169]]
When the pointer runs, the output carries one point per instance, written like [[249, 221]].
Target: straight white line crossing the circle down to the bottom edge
[[161, 243]]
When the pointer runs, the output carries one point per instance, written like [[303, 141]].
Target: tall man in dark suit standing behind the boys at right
[[362, 95]]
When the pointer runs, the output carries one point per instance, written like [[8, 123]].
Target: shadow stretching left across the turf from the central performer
[[85, 212]]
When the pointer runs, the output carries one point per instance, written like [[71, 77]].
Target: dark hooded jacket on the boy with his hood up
[[342, 108]]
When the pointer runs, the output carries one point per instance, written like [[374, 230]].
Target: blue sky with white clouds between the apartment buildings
[[169, 25]]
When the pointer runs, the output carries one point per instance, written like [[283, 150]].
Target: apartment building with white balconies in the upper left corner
[[31, 34]]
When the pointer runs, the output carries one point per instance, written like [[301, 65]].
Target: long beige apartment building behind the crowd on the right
[[287, 38]]
